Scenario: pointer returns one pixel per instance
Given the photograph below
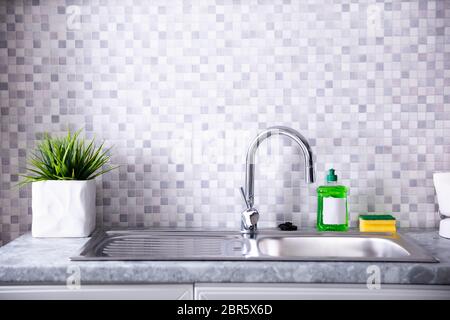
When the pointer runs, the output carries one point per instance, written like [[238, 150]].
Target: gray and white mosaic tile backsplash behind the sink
[[180, 87]]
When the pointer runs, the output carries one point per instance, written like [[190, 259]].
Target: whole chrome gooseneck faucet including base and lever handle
[[250, 216]]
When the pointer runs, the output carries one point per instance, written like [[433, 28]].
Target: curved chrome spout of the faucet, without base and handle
[[250, 162]]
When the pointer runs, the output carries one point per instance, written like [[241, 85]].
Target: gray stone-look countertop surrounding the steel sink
[[28, 260]]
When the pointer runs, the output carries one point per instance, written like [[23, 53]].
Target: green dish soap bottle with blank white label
[[332, 209]]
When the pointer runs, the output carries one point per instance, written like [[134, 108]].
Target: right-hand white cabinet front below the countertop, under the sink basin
[[272, 291]]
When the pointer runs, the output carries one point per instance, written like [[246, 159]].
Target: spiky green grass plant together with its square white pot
[[62, 172]]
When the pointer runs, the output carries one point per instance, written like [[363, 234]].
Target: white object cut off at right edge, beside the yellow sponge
[[442, 185]]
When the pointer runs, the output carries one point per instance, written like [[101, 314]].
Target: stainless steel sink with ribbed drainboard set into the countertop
[[157, 244]]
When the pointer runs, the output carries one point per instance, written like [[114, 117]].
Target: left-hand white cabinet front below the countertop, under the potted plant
[[94, 292]]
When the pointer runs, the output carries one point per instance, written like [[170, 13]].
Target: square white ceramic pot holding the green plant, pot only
[[63, 208]]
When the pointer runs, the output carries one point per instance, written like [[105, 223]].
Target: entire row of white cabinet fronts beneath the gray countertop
[[223, 291]]
